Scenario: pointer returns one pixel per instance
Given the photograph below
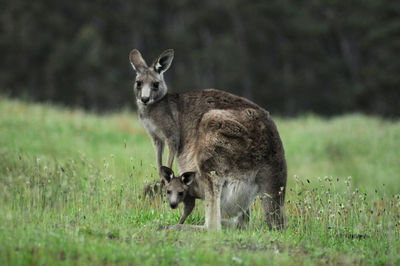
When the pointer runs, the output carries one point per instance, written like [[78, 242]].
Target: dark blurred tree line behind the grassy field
[[290, 56]]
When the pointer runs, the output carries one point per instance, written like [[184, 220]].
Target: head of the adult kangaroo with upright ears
[[149, 84]]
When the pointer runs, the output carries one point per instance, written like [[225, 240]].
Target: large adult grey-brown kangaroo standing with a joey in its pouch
[[225, 139]]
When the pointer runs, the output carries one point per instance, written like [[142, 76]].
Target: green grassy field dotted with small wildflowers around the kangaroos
[[71, 184]]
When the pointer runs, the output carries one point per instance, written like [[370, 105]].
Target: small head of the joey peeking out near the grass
[[176, 187]]
